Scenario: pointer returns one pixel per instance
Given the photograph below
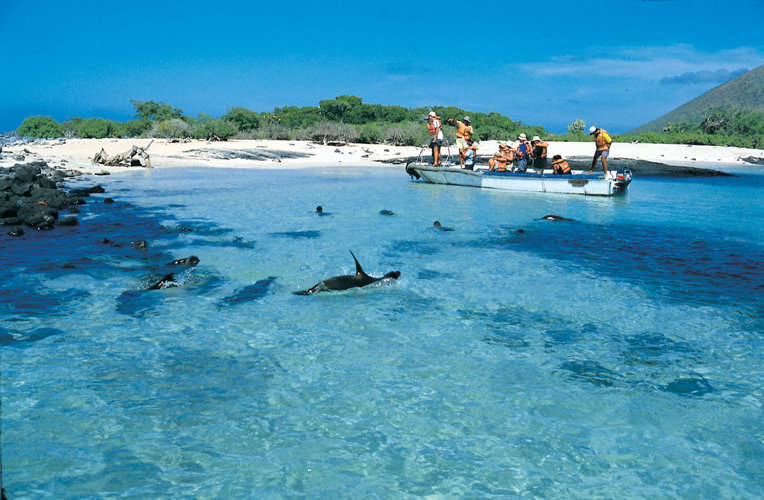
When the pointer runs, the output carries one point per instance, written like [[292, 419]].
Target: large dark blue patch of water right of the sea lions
[[682, 264]]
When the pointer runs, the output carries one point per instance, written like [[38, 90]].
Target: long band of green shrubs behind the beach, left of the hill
[[343, 119]]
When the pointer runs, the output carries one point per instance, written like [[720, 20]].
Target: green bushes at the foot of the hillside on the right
[[718, 127]]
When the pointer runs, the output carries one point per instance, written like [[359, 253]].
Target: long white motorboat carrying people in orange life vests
[[537, 182]]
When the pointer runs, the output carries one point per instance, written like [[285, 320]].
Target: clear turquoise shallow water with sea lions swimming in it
[[617, 355]]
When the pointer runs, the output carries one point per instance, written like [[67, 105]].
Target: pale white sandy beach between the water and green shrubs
[[77, 154]]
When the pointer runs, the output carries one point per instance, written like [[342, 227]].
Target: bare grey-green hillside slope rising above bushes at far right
[[746, 91]]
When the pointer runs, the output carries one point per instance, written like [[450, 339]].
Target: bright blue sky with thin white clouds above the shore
[[614, 64]]
